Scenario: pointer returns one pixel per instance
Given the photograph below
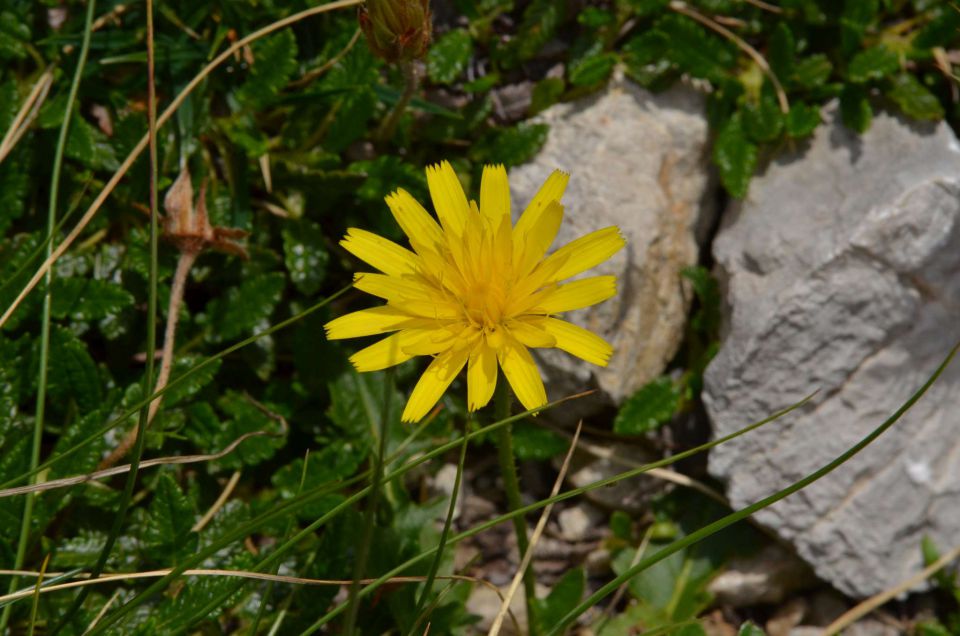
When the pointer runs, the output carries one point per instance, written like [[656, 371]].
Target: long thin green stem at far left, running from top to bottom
[[40, 409]]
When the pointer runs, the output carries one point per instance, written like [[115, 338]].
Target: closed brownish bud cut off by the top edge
[[397, 30]]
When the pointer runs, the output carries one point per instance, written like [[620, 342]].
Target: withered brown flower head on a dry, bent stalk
[[189, 228]]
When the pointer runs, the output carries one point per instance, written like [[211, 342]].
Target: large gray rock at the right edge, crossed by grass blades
[[842, 274]]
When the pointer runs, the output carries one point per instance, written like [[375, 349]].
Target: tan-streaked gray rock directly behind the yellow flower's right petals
[[638, 161]]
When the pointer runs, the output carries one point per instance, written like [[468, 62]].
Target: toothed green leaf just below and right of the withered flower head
[[245, 307]]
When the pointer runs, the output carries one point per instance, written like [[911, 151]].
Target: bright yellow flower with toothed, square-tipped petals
[[476, 290]]
